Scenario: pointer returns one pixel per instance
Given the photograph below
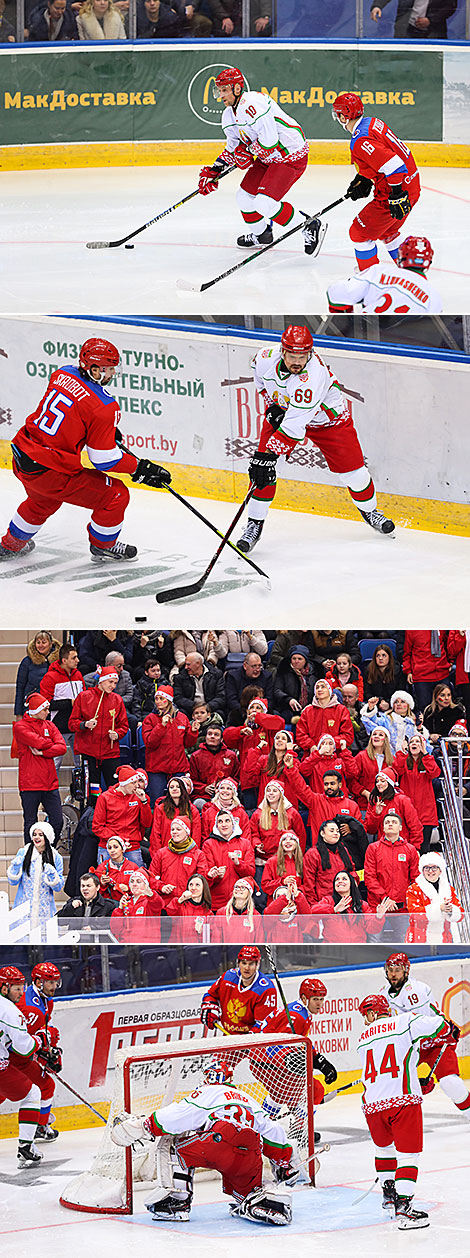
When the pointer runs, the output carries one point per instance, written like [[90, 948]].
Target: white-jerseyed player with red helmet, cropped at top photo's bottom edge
[[390, 289]]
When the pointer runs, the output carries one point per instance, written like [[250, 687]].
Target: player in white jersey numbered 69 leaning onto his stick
[[303, 399]]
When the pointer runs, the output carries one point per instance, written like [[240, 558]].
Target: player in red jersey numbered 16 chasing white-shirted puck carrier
[[385, 164]]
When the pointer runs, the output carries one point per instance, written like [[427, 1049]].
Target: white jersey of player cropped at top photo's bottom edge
[[386, 290]]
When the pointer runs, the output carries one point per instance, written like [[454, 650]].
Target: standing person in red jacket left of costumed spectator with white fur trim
[[390, 867]]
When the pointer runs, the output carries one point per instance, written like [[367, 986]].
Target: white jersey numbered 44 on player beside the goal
[[390, 1054]]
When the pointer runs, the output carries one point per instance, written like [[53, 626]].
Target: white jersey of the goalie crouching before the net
[[207, 1105]]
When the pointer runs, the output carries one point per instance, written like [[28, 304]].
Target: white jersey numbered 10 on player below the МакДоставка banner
[[261, 124]]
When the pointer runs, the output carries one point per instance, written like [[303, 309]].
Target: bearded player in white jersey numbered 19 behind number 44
[[412, 996]]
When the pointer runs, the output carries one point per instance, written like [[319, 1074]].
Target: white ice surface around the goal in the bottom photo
[[33, 1221]]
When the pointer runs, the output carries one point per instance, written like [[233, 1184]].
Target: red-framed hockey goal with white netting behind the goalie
[[277, 1071]]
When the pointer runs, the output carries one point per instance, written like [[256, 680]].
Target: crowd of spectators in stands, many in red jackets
[[229, 776]]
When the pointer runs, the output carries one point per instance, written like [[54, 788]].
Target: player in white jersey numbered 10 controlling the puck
[[271, 147]]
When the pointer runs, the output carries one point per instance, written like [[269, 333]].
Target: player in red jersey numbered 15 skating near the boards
[[77, 413]]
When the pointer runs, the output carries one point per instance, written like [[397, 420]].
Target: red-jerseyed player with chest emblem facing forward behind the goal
[[241, 999]]
